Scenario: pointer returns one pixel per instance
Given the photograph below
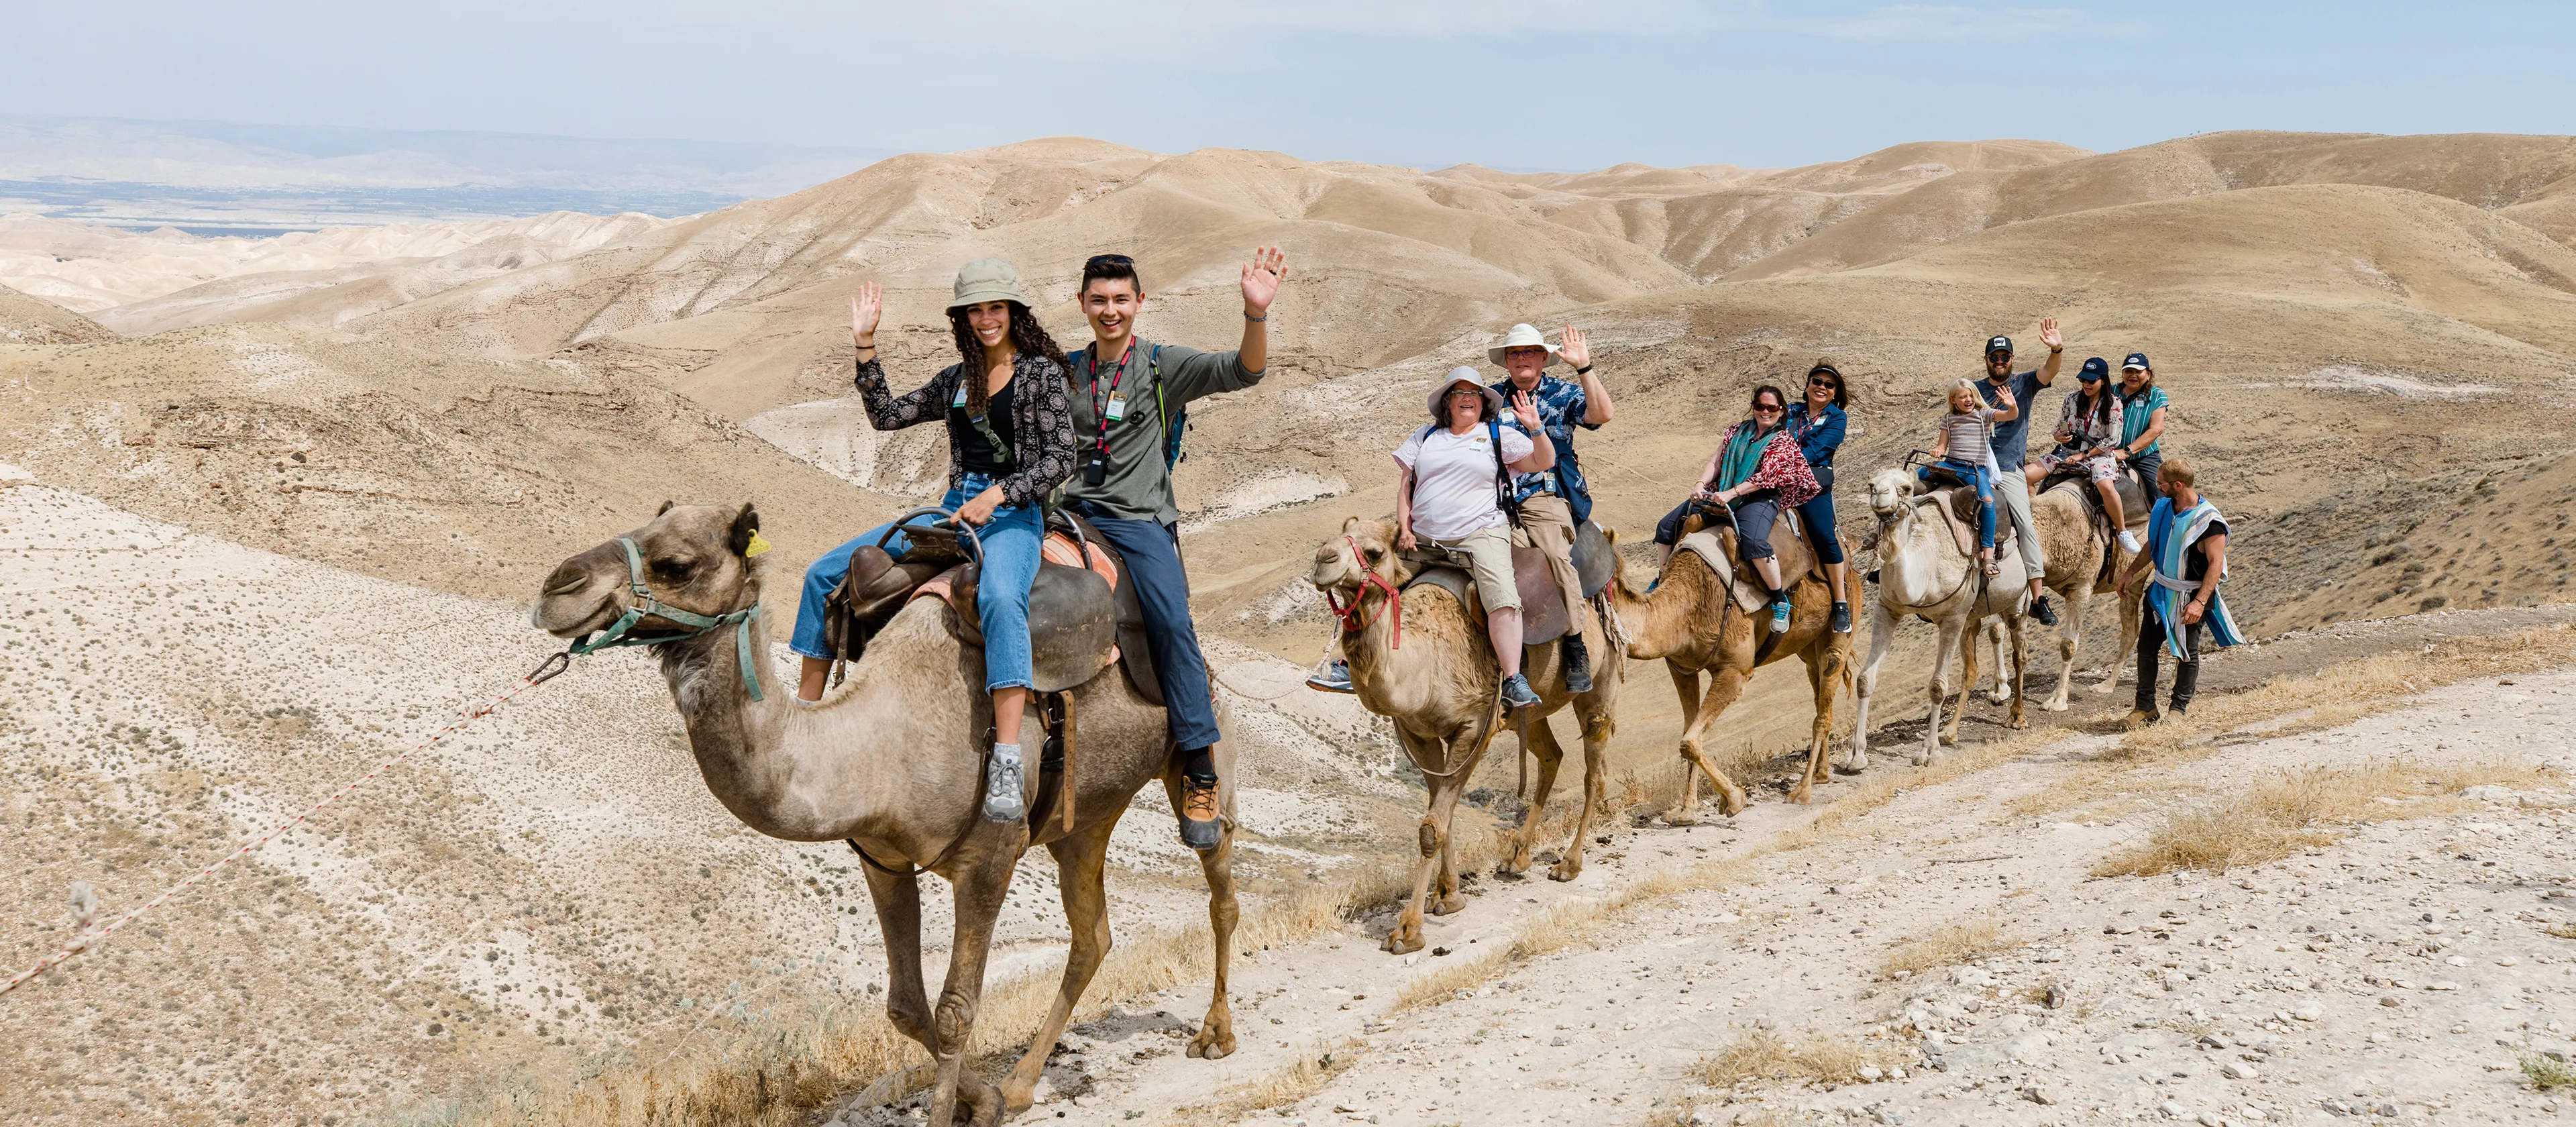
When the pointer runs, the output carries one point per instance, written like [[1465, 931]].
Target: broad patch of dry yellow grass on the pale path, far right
[[2307, 809]]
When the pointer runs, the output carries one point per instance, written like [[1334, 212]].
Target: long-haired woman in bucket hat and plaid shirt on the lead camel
[[1011, 441]]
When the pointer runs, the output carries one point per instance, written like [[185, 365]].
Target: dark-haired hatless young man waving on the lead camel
[[1130, 400]]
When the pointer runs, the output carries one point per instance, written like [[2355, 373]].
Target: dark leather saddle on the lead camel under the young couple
[[1081, 609]]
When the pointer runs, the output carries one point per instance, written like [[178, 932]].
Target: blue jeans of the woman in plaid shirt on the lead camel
[[1001, 598]]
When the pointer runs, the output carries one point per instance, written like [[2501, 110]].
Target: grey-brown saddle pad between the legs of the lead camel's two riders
[[1073, 616]]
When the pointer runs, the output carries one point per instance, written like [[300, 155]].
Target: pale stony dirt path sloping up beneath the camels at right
[[2397, 971]]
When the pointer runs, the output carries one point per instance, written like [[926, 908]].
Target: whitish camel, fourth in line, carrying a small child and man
[[1926, 575]]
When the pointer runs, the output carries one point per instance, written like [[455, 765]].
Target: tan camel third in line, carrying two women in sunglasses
[[1694, 627]]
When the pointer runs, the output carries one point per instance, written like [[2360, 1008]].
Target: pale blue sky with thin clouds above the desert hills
[[1511, 84]]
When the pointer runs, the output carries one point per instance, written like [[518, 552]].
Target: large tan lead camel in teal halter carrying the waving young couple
[[890, 763]]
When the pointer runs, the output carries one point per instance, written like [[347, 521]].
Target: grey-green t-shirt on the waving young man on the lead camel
[[1140, 480]]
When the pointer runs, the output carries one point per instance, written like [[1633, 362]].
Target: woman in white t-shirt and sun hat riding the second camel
[[1449, 495]]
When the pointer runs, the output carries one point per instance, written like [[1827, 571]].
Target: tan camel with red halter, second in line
[[1444, 691]]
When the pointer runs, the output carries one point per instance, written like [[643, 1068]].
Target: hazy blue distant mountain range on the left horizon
[[246, 179]]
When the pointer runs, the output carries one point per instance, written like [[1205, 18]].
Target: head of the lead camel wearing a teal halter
[[697, 557]]
